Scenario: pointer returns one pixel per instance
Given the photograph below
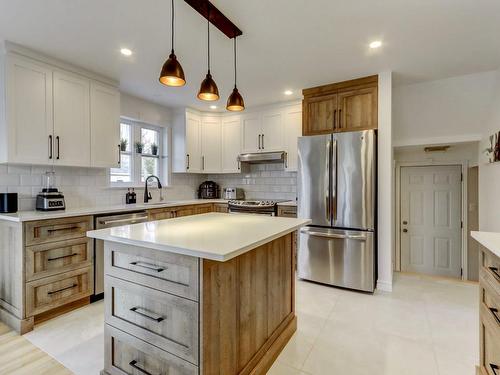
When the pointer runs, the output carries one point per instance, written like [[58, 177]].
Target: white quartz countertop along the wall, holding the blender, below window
[[41, 215]]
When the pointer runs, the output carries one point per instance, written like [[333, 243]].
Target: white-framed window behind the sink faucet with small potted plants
[[140, 154]]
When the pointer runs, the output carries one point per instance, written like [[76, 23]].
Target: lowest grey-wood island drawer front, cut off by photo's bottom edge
[[127, 355]]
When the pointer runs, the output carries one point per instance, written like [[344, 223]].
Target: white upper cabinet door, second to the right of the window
[[211, 145]]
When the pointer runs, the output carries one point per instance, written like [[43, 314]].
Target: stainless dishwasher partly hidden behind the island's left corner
[[102, 222]]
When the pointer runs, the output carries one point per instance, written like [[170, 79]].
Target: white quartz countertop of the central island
[[215, 236]]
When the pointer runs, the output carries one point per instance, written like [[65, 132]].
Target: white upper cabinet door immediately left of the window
[[104, 125]]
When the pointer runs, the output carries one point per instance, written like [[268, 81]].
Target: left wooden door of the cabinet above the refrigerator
[[318, 114]]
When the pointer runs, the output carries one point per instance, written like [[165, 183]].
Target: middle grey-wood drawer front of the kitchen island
[[164, 320]]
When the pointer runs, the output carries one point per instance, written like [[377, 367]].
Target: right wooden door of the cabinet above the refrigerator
[[357, 109]]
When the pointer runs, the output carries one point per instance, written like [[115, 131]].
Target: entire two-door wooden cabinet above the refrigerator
[[338, 107]]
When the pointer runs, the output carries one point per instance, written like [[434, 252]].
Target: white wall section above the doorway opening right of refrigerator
[[442, 111]]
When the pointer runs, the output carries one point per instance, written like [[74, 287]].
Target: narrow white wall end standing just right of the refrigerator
[[385, 183]]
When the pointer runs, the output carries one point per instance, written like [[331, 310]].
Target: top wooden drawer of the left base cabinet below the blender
[[45, 231]]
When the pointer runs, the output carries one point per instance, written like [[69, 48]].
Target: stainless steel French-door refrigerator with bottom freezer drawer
[[337, 191]]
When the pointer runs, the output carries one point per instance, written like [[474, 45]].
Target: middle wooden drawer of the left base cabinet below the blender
[[53, 258]]
